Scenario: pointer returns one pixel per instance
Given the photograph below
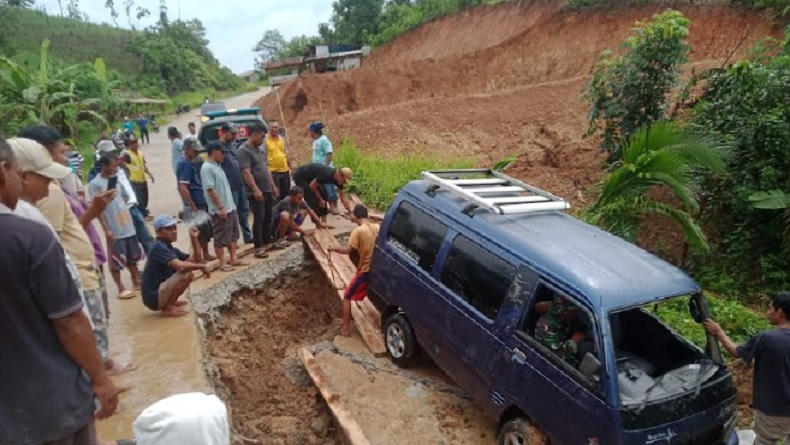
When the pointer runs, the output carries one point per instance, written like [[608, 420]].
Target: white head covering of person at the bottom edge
[[192, 418]]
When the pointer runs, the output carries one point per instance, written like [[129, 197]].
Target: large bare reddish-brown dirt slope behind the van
[[494, 81]]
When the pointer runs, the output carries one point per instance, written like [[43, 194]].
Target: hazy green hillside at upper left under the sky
[[73, 41]]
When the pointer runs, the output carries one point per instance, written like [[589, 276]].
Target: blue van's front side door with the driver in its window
[[544, 381]]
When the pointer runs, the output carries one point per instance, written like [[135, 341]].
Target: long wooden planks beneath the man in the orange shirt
[[339, 270]]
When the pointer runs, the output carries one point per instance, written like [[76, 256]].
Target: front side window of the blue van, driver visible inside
[[560, 326]]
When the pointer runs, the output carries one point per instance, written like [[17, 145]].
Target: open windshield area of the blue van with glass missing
[[653, 361]]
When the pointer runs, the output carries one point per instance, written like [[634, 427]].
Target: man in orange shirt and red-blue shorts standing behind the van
[[360, 245]]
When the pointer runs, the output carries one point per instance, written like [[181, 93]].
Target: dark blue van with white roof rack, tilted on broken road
[[546, 320]]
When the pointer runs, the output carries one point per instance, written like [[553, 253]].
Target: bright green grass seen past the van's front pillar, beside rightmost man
[[739, 321]]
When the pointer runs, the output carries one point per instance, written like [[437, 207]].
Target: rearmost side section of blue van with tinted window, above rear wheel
[[403, 270]]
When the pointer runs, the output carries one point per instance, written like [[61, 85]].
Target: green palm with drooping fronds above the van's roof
[[661, 155]]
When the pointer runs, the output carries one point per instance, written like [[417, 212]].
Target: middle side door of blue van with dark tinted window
[[474, 284]]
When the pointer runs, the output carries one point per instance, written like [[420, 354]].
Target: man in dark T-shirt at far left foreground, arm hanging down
[[50, 384]]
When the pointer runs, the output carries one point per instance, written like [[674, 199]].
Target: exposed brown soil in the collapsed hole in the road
[[270, 397]]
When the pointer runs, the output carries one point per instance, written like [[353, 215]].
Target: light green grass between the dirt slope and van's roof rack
[[377, 180]]
